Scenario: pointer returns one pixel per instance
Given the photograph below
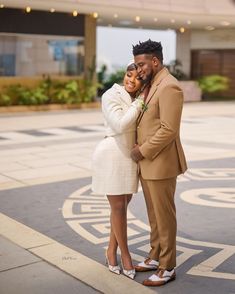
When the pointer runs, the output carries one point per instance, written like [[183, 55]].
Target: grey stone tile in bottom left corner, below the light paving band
[[41, 278]]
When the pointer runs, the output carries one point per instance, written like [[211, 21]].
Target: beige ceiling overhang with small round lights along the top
[[148, 14]]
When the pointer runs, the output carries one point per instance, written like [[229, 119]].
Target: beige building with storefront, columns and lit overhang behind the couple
[[59, 37]]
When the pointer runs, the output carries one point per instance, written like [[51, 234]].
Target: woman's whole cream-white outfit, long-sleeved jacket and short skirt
[[114, 172]]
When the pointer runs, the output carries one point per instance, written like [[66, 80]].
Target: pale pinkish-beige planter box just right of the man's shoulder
[[192, 91]]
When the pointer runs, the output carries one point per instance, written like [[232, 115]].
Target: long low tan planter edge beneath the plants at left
[[48, 107]]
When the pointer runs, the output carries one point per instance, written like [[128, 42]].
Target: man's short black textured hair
[[148, 47]]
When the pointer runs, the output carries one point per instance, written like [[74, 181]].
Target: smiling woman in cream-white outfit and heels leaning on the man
[[114, 172]]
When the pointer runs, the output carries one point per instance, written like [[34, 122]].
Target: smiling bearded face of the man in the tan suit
[[146, 66]]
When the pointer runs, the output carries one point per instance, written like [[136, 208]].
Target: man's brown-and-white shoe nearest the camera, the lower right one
[[160, 278]]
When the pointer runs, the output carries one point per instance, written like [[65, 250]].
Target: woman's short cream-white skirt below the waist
[[114, 172]]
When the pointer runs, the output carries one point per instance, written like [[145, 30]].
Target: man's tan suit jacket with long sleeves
[[158, 130]]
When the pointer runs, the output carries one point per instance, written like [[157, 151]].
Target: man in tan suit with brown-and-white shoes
[[161, 159]]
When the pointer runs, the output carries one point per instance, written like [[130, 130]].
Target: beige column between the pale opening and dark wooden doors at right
[[183, 50]]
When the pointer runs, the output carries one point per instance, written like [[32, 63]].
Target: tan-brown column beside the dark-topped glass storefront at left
[[90, 45]]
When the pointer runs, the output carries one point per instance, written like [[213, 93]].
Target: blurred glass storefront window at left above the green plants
[[37, 55]]
